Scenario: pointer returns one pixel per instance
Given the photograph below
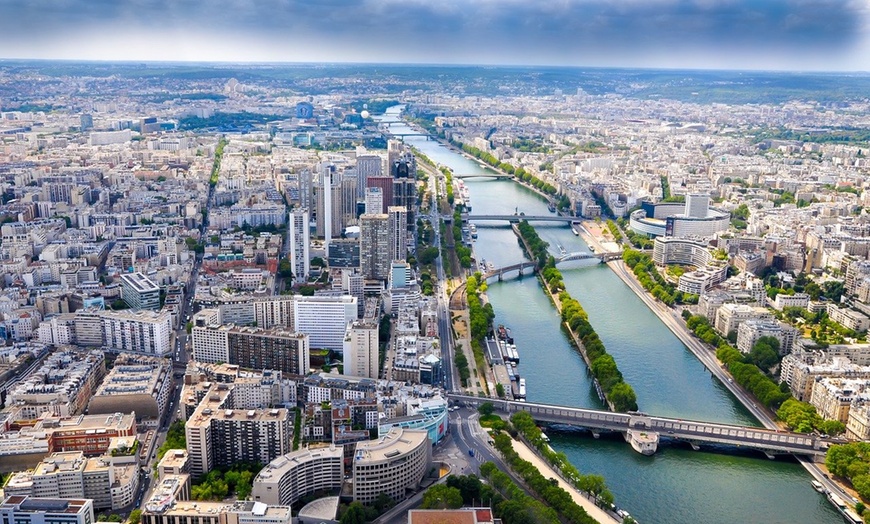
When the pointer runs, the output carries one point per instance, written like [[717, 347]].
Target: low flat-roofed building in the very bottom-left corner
[[19, 509]]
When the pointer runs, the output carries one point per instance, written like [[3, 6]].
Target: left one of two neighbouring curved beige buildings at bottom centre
[[290, 477]]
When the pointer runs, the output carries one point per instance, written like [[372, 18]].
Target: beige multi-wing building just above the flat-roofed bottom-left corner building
[[70, 475]]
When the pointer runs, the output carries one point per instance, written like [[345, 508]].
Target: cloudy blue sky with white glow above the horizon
[[803, 35]]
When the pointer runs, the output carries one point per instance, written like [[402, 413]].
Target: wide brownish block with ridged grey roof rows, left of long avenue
[[136, 383]]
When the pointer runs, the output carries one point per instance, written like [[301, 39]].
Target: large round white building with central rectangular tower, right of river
[[695, 217]]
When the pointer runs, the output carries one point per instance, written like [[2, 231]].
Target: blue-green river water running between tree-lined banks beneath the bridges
[[676, 485]]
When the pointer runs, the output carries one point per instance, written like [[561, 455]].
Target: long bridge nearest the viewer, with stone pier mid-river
[[769, 442]]
